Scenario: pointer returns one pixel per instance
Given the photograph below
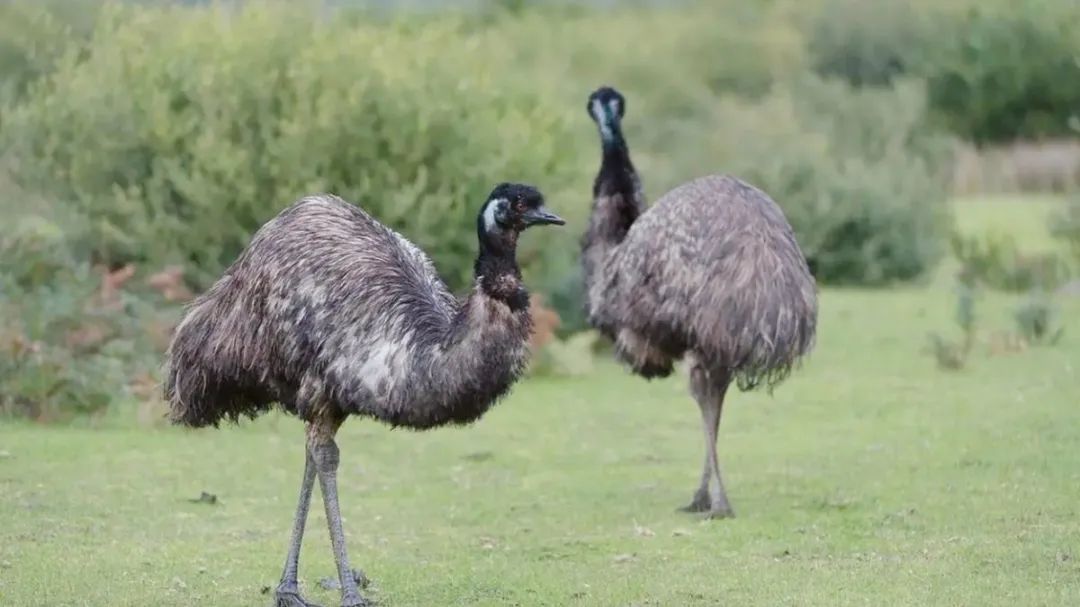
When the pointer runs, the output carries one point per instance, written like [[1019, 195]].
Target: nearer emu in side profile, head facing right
[[330, 314]]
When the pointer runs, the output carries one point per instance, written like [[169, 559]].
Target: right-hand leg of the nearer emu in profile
[[327, 455]]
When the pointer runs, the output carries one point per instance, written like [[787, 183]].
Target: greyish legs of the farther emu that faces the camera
[[709, 392]]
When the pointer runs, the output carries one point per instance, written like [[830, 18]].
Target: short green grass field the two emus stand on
[[870, 479]]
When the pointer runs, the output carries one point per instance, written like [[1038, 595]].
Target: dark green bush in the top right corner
[[1006, 70]]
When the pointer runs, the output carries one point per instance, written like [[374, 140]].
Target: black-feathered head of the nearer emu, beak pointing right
[[510, 210]]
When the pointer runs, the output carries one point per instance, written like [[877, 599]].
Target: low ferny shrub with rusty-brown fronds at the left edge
[[66, 350]]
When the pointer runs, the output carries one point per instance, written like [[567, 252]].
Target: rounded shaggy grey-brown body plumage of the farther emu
[[714, 267]]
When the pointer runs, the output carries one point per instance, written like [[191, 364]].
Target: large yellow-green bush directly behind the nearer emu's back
[[185, 130]]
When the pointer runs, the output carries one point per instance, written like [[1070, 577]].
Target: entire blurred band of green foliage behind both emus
[[142, 143]]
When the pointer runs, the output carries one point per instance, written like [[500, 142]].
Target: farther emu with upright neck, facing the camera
[[712, 271]]
